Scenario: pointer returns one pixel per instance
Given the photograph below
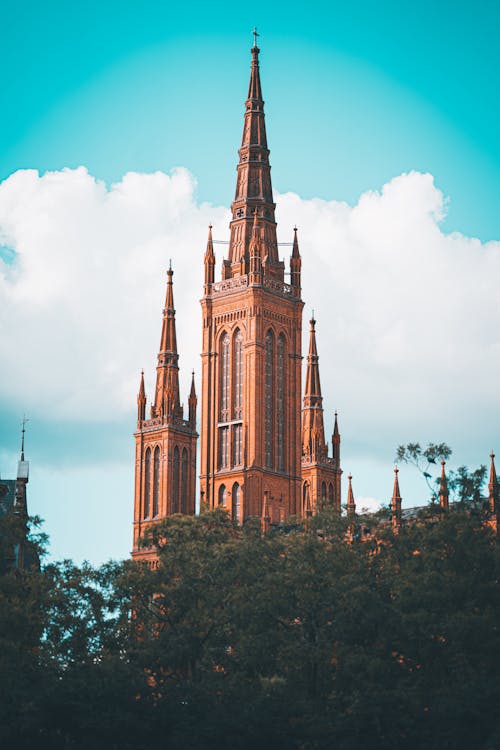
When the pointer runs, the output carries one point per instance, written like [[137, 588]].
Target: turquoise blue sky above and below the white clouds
[[355, 96]]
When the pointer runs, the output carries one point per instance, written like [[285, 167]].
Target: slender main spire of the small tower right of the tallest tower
[[313, 431]]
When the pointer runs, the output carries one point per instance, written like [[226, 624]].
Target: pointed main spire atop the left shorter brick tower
[[167, 404]]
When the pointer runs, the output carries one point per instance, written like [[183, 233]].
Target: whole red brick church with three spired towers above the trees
[[261, 454]]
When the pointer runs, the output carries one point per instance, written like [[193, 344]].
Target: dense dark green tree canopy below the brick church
[[305, 637]]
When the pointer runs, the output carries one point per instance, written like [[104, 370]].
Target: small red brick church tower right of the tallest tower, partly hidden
[[320, 473]]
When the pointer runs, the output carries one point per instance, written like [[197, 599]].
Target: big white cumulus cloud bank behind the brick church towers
[[408, 317]]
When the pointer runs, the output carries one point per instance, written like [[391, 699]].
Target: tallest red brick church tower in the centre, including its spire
[[251, 351]]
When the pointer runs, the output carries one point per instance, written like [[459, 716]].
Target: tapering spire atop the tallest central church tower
[[253, 186]]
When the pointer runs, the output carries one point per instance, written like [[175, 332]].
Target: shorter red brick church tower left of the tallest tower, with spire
[[165, 452]]
